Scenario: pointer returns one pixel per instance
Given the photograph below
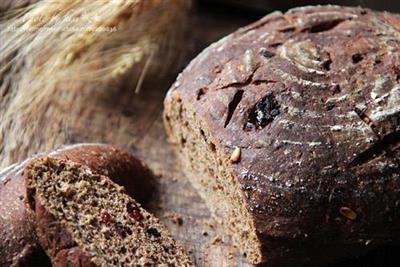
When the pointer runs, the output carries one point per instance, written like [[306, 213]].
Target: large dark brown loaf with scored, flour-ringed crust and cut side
[[289, 129]]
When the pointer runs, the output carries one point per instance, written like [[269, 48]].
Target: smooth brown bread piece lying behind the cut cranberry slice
[[18, 242]]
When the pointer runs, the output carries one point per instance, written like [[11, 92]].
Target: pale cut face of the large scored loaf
[[209, 172]]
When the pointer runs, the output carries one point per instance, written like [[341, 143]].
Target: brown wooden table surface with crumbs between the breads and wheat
[[115, 115]]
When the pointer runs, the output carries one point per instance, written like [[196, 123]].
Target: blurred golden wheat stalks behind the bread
[[50, 44]]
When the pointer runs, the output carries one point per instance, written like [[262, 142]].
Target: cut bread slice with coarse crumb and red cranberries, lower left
[[84, 219]]
